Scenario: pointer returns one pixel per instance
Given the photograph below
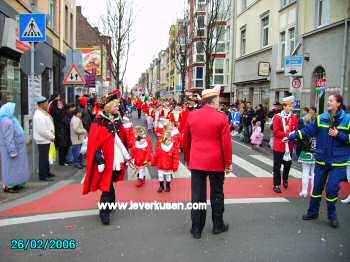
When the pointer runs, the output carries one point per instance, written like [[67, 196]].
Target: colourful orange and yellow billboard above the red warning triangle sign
[[92, 60]]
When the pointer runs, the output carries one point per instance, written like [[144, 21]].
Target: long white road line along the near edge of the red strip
[[94, 212]]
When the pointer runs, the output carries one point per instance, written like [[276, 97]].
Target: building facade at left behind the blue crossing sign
[[50, 56]]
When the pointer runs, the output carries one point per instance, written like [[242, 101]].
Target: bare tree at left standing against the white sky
[[118, 24]]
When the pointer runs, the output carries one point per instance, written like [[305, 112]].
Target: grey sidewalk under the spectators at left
[[35, 185]]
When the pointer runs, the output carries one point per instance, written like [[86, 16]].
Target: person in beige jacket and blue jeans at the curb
[[77, 134]]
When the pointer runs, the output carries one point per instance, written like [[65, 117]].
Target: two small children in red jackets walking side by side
[[166, 157]]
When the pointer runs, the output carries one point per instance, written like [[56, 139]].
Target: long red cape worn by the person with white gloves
[[101, 138]]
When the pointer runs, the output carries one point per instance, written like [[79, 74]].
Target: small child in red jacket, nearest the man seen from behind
[[167, 160]]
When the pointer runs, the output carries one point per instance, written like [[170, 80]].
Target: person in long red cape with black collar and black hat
[[106, 155]]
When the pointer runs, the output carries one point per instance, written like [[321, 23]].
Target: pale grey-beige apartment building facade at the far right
[[268, 31]]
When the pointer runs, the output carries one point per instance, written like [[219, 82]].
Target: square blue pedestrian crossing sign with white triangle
[[32, 27]]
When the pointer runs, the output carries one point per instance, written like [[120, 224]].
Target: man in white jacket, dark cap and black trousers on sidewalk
[[44, 135]]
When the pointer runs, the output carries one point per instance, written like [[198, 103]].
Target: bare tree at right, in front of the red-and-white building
[[218, 13]]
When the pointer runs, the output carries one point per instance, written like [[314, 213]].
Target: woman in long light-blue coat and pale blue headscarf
[[13, 151]]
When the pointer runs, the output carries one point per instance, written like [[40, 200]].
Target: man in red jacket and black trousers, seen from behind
[[208, 152]]
